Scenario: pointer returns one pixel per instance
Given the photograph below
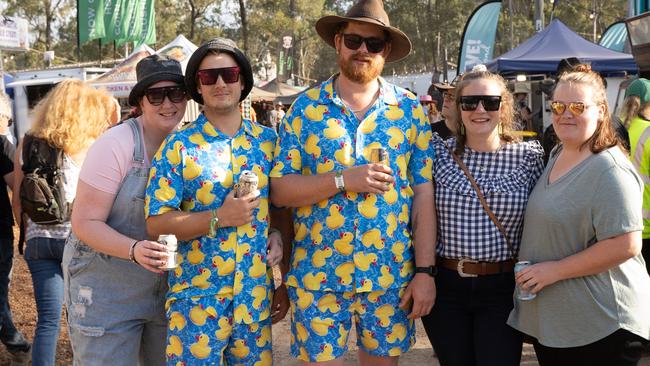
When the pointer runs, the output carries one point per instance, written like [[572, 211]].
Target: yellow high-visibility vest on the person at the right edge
[[640, 156]]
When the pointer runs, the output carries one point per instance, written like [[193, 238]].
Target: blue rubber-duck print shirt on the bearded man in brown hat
[[354, 241]]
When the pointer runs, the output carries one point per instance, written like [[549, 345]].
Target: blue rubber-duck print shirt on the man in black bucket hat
[[193, 171]]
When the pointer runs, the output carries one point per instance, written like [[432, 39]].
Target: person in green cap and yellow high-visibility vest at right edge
[[635, 114]]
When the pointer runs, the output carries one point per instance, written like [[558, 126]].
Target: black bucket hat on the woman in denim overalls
[[151, 70]]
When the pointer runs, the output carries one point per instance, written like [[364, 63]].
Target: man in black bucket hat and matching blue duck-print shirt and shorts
[[219, 299]]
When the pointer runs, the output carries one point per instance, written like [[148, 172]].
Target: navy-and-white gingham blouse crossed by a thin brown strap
[[506, 178]]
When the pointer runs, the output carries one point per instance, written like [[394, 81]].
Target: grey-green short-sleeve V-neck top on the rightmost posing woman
[[598, 199]]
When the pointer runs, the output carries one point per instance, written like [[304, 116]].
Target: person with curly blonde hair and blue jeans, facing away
[[70, 118]]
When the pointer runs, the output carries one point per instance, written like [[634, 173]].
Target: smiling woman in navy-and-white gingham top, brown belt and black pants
[[475, 258]]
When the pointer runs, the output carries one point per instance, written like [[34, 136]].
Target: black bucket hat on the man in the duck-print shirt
[[221, 45]]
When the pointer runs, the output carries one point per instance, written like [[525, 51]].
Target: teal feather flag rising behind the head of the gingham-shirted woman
[[477, 43]]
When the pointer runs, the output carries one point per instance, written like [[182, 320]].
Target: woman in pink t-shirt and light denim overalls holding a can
[[115, 292]]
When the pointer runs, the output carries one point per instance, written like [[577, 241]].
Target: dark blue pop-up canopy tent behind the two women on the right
[[541, 53]]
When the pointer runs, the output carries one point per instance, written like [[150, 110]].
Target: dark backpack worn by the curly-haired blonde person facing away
[[42, 194]]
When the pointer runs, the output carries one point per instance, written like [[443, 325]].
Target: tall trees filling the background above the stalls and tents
[[258, 26]]
